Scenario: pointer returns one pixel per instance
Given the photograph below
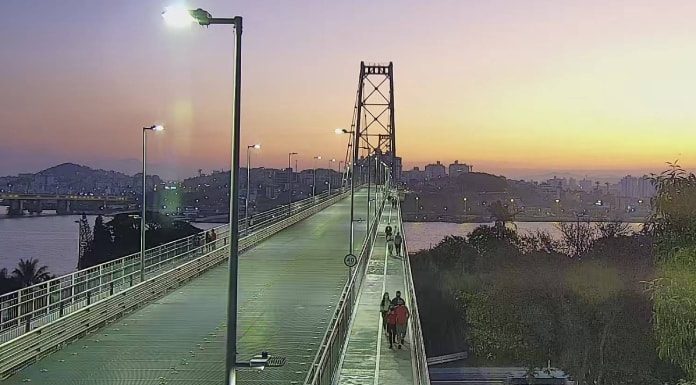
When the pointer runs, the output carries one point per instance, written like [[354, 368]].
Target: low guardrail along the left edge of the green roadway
[[33, 345]]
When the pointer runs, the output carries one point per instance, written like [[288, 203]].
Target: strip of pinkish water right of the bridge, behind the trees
[[424, 235]]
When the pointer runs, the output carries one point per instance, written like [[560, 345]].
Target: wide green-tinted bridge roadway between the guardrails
[[289, 285]]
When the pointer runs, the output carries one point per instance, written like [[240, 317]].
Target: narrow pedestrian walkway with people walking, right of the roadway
[[368, 359]]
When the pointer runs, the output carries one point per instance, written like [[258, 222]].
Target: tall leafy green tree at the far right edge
[[673, 291]]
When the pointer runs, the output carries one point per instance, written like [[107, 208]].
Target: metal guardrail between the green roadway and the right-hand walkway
[[328, 357]]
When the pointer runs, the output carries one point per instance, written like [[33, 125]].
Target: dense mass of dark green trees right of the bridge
[[605, 305]]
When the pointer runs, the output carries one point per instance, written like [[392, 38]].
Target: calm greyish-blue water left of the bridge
[[51, 239]]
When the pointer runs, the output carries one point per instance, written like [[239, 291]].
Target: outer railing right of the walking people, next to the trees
[[420, 361]]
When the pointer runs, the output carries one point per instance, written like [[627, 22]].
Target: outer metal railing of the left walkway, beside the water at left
[[26, 309]]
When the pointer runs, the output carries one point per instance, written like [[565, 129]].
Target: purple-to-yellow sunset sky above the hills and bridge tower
[[512, 87]]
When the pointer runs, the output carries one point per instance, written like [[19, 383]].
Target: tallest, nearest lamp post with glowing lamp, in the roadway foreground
[[181, 16]]
